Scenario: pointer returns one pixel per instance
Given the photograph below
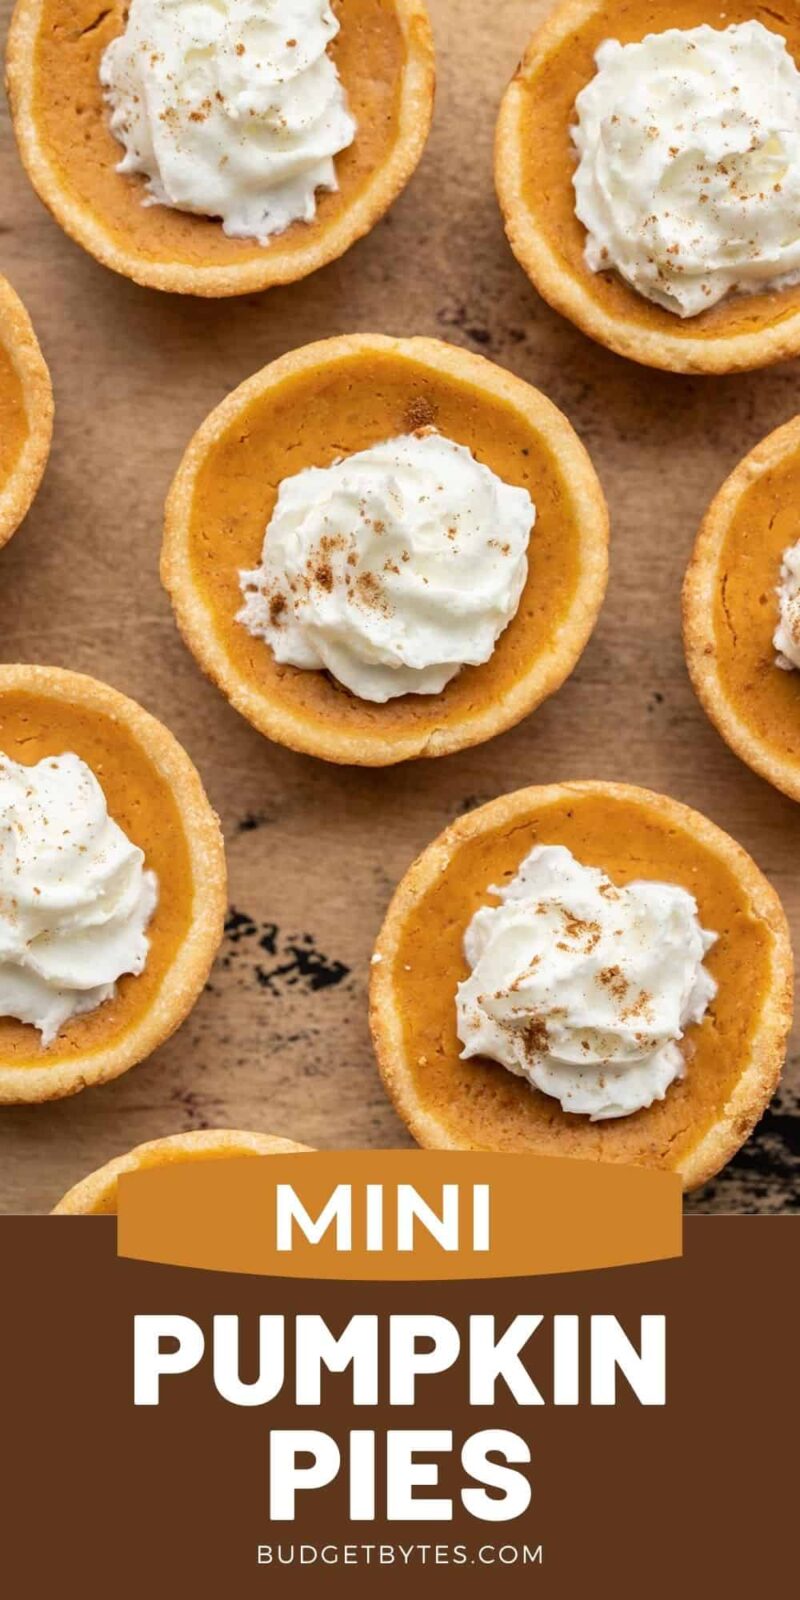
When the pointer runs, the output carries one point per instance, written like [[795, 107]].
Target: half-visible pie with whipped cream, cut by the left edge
[[113, 884]]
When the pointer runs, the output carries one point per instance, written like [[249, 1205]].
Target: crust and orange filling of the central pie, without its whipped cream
[[334, 399]]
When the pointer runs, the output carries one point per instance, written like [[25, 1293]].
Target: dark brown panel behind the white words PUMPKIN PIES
[[692, 1498]]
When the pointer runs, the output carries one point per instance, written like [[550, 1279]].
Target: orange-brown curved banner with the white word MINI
[[399, 1215]]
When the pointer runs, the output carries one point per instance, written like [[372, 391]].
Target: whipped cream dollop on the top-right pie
[[689, 177]]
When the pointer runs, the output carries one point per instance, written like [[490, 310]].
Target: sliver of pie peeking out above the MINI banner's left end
[[97, 1194]]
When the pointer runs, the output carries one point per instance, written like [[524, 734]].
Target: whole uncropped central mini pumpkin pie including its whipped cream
[[385, 550]]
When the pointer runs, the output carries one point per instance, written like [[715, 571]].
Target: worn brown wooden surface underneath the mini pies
[[281, 1041]]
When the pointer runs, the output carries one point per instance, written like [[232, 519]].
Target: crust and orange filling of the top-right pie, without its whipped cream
[[534, 170]]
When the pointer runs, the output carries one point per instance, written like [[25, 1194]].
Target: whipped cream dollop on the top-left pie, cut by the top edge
[[230, 108]]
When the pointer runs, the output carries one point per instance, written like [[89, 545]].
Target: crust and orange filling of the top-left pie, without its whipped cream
[[385, 54]]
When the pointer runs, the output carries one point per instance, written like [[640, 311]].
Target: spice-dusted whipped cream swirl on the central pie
[[391, 569]]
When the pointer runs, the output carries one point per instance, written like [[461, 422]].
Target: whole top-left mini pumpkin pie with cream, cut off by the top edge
[[220, 150]]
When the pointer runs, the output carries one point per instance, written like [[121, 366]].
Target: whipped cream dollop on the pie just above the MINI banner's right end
[[585, 988]]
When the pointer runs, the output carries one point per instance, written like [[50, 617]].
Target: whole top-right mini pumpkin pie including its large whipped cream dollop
[[649, 172]]
